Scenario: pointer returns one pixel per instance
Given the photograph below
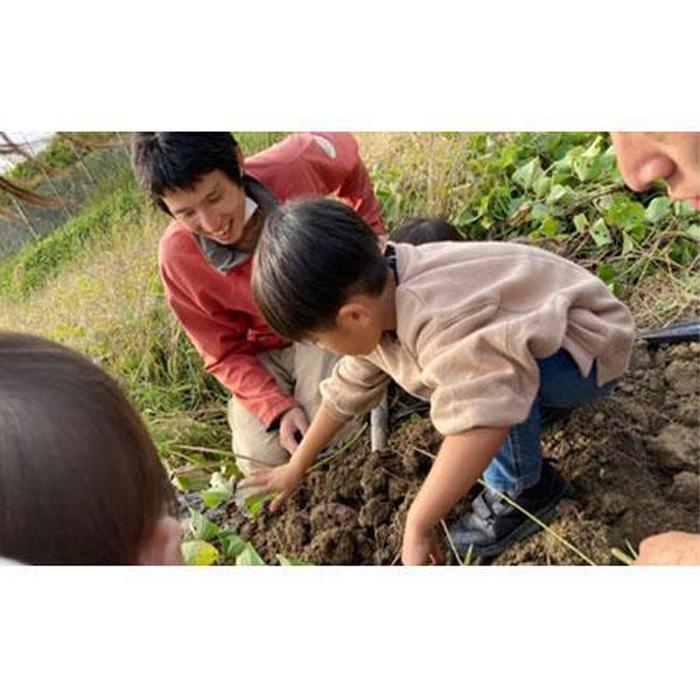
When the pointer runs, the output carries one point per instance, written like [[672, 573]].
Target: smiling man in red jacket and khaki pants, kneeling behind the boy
[[219, 202]]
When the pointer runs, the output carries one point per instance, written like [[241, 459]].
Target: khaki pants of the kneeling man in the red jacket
[[299, 370]]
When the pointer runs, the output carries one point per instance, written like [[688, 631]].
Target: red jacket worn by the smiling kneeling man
[[217, 309]]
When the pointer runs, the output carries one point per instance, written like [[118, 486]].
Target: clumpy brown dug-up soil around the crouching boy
[[633, 459]]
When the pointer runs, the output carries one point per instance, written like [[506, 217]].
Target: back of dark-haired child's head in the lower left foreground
[[80, 479]]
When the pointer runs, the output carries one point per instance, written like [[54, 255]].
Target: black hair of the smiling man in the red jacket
[[169, 160]]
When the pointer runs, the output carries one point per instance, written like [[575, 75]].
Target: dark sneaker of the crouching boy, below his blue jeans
[[494, 525]]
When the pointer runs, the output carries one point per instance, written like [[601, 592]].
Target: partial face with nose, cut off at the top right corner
[[673, 156]]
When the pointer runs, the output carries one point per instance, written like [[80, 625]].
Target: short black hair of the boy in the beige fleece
[[313, 255]]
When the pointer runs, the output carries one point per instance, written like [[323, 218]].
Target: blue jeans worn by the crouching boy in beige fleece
[[518, 464]]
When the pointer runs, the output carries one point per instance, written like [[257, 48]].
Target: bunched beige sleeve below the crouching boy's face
[[355, 387]]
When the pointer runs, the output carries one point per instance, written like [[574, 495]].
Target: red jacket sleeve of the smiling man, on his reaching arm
[[220, 337]]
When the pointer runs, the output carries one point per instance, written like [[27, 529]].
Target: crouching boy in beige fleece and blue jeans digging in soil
[[492, 334]]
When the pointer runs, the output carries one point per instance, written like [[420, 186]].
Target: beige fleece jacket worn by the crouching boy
[[472, 319]]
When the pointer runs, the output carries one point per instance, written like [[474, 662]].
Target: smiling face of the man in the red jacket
[[214, 207]]
